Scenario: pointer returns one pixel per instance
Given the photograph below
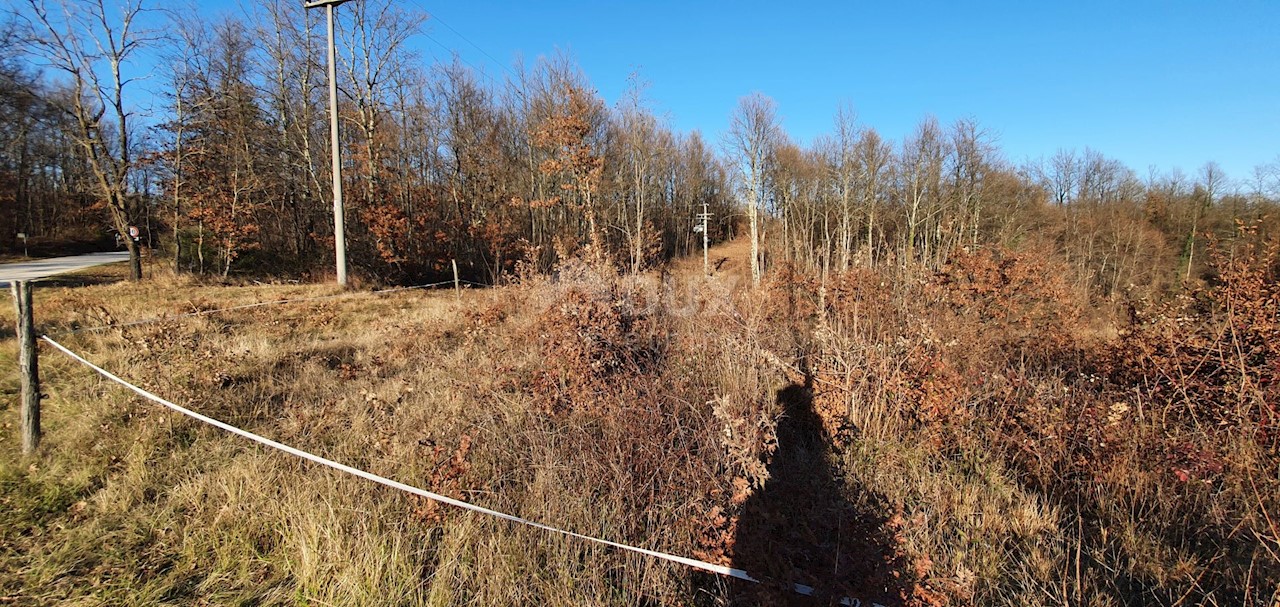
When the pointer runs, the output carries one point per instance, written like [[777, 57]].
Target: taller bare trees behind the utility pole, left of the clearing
[[438, 163]]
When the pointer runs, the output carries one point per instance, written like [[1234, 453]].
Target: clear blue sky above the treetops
[[1165, 84]]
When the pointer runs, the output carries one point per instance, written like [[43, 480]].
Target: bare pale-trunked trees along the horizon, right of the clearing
[[854, 199]]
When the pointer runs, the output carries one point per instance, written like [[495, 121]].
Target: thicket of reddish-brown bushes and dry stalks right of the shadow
[[1144, 458]]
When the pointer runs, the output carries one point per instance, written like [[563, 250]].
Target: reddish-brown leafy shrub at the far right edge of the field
[[1213, 357]]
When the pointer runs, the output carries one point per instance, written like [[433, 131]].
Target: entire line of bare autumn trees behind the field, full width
[[442, 163]]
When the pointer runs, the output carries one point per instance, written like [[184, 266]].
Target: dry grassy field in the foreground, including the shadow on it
[[785, 431]]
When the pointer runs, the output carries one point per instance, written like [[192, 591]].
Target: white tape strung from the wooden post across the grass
[[691, 563]]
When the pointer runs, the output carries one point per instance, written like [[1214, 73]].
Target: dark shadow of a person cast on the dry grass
[[804, 526]]
